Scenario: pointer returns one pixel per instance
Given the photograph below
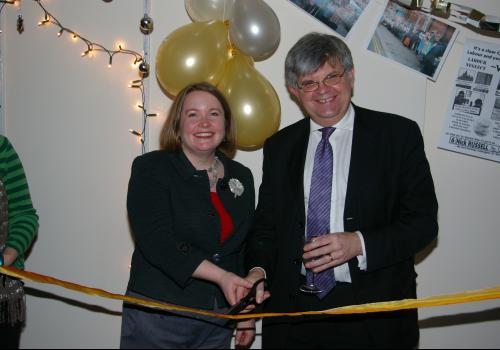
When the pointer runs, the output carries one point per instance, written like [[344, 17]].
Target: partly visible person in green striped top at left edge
[[18, 228]]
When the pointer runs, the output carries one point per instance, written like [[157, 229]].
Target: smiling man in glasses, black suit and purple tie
[[381, 210]]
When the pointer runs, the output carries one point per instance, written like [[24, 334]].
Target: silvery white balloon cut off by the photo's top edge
[[208, 10]]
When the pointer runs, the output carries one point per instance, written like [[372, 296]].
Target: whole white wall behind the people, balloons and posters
[[69, 118]]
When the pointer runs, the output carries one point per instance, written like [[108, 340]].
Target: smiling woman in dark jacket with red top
[[190, 207]]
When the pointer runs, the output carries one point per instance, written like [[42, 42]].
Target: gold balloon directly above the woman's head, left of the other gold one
[[193, 53]]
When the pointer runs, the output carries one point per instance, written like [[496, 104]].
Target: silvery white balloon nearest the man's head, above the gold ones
[[254, 28]]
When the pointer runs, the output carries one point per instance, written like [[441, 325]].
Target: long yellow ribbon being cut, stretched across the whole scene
[[440, 300]]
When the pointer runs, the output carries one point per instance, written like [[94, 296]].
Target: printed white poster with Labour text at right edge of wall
[[473, 123]]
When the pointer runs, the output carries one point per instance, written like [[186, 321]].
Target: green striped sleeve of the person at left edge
[[23, 219]]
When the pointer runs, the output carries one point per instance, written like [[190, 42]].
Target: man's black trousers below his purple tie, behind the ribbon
[[318, 332]]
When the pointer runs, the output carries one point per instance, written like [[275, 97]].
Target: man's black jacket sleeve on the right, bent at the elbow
[[414, 223]]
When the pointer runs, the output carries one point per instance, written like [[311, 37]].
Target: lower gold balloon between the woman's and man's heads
[[254, 103]]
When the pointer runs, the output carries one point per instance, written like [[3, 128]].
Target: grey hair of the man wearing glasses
[[311, 52]]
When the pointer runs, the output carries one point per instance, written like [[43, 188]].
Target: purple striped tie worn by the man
[[318, 212]]
